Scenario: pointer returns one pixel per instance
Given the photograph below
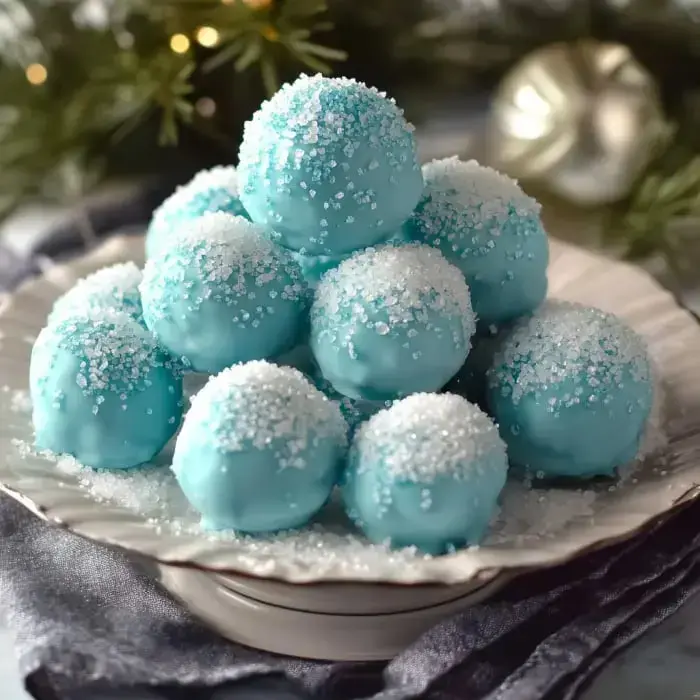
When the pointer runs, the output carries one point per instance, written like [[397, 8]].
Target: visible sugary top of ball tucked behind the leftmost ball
[[115, 287]]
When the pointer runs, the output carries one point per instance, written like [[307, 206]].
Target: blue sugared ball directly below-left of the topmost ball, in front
[[222, 292]]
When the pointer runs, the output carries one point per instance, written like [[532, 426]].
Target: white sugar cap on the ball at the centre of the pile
[[403, 280]]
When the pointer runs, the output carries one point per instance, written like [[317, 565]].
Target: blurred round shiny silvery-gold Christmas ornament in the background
[[582, 119]]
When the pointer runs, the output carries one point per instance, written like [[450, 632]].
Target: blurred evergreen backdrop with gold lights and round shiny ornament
[[593, 104]]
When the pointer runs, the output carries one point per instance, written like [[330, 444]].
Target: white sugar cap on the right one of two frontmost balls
[[426, 436]]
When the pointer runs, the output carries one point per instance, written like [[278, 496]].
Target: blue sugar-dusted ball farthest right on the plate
[[571, 389]]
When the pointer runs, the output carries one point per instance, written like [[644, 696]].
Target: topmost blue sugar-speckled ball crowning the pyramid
[[330, 165]]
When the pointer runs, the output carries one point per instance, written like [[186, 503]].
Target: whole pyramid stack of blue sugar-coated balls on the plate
[[367, 325]]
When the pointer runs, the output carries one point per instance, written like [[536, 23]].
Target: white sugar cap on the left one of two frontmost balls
[[262, 404]]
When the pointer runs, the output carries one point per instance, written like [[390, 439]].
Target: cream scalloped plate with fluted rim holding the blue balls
[[590, 519]]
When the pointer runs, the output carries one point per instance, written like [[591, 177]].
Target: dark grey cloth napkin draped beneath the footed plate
[[87, 617]]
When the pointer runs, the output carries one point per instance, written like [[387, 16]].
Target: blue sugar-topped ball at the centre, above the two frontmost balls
[[391, 321]]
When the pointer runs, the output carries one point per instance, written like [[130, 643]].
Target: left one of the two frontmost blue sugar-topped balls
[[260, 449]]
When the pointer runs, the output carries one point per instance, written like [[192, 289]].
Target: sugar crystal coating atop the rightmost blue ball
[[567, 342]]
